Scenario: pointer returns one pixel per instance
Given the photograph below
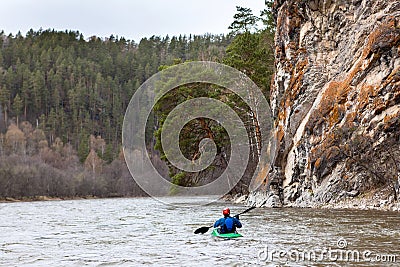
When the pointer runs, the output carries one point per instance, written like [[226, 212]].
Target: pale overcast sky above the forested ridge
[[132, 19]]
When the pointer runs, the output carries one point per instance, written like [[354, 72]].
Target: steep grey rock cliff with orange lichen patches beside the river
[[336, 102]]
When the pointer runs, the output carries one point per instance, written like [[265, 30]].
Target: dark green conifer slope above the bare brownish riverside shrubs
[[71, 87]]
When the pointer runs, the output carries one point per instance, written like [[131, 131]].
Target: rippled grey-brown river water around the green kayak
[[144, 231]]
